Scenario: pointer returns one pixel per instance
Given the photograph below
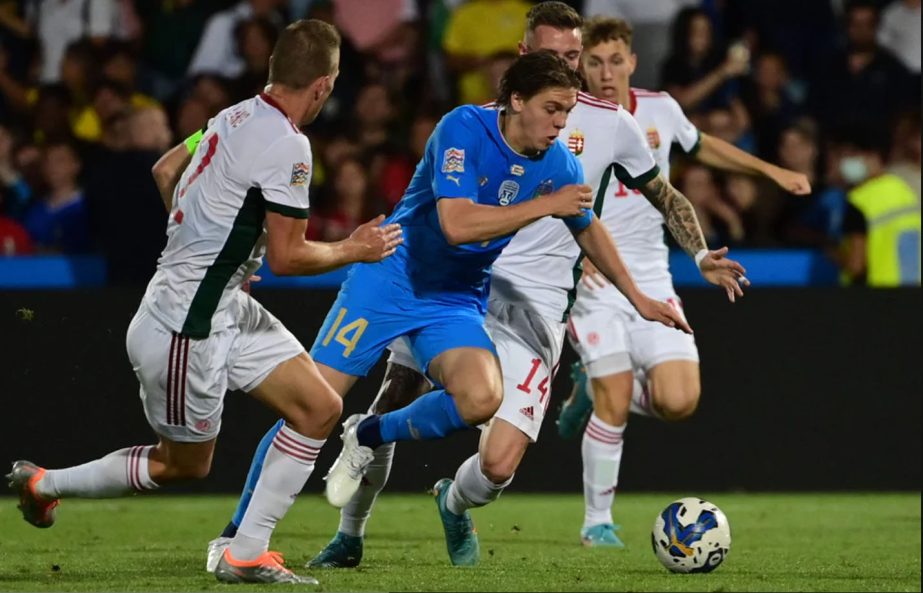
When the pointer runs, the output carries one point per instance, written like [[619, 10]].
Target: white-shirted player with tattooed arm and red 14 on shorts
[[528, 303]]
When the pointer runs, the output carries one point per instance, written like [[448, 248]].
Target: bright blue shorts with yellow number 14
[[372, 310]]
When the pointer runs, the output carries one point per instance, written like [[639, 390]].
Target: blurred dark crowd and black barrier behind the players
[[804, 375]]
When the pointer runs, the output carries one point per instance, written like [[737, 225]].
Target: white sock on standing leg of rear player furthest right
[[602, 455]]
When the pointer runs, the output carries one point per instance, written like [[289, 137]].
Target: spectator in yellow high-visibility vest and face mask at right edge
[[881, 228]]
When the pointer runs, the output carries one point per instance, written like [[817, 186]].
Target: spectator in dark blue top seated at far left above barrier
[[58, 221]]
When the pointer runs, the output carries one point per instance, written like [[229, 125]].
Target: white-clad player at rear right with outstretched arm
[[630, 363]]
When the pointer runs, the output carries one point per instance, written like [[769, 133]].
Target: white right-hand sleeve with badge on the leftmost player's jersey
[[283, 174]]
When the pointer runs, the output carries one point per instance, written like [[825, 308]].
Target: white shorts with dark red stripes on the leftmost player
[[183, 381]]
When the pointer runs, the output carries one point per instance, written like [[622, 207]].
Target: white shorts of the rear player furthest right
[[610, 337]]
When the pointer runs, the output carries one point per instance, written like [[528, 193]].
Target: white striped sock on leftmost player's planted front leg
[[288, 465]]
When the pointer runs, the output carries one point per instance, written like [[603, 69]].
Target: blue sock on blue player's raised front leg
[[431, 416]]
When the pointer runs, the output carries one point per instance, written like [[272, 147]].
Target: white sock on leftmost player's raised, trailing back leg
[[119, 473]]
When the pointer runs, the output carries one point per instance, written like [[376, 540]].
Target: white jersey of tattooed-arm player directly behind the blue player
[[536, 270]]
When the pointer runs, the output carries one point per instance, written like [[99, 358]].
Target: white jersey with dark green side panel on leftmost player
[[252, 158]]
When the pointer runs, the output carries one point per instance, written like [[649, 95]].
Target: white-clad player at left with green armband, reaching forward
[[196, 334]]
